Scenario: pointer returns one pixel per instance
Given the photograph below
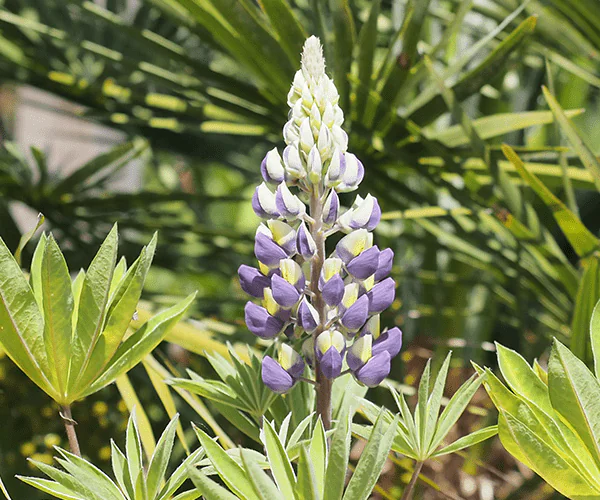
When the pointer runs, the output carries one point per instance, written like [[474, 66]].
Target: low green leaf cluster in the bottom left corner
[[133, 480]]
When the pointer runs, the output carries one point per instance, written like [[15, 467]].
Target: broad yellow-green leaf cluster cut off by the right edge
[[550, 421]]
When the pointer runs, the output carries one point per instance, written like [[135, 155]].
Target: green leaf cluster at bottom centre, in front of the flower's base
[[320, 472]]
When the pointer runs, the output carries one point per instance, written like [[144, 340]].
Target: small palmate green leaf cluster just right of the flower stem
[[421, 435]]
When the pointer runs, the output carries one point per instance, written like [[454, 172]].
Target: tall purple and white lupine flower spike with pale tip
[[328, 305]]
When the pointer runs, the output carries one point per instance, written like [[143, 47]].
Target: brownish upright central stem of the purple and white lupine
[[323, 387]]
